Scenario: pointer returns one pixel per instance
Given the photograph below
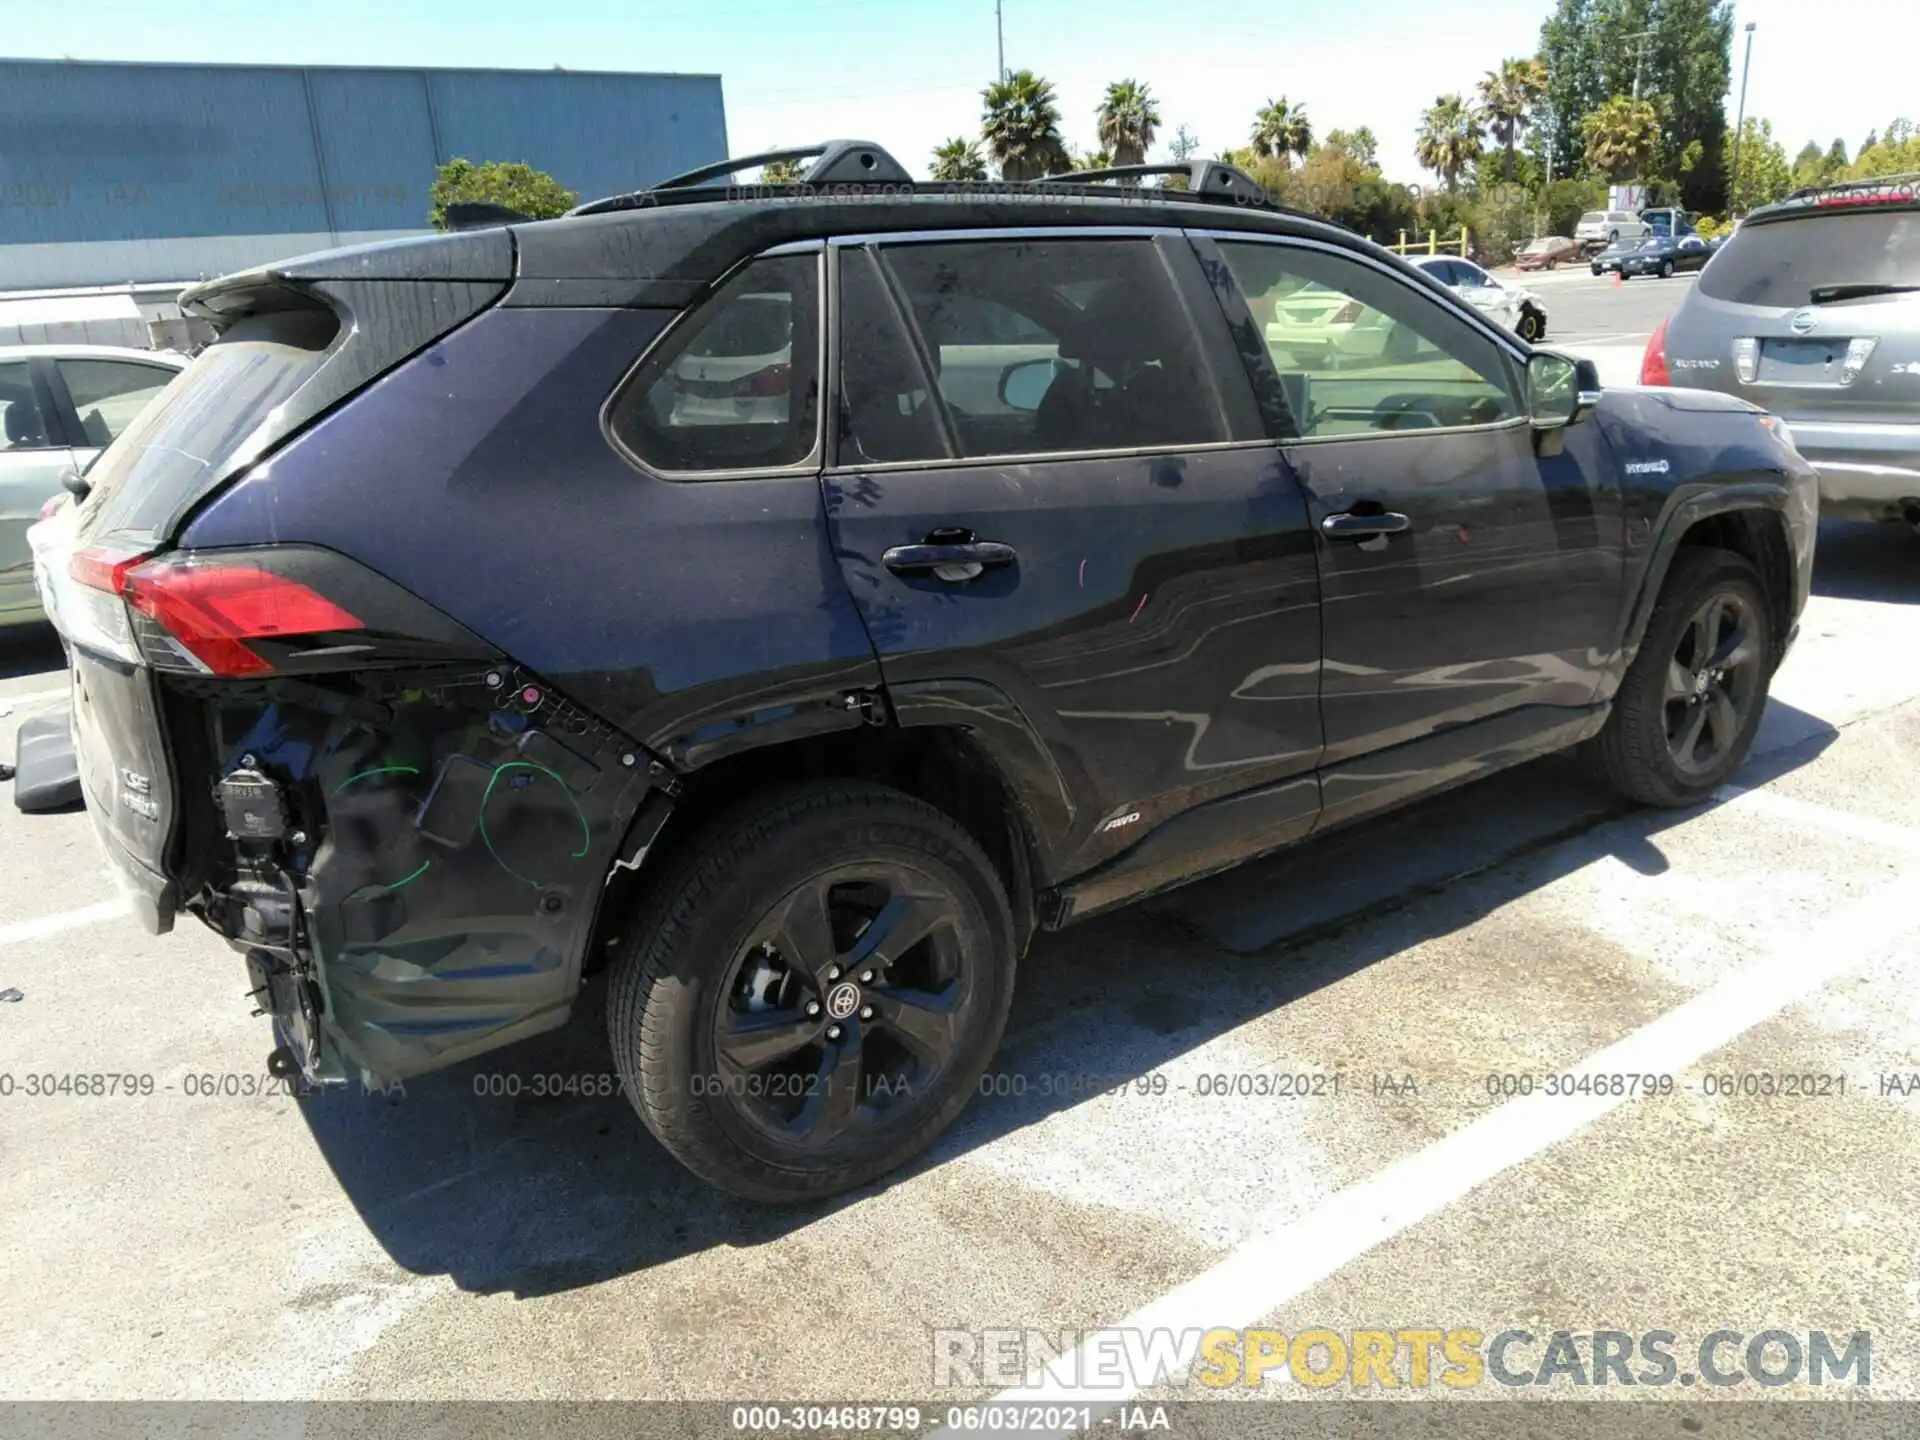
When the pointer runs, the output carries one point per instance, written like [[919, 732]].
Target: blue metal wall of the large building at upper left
[[108, 153]]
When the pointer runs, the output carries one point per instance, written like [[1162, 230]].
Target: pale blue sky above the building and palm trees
[[909, 72]]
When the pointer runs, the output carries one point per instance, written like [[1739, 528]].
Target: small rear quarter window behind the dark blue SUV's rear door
[[734, 385]]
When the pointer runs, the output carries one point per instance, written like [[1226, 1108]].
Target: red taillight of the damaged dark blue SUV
[[204, 612]]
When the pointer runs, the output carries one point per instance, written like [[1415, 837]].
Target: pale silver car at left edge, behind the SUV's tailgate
[[59, 408]]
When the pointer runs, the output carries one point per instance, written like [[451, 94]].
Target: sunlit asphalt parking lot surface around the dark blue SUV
[[1307, 1095]]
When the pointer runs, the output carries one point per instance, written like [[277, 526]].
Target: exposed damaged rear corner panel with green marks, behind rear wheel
[[464, 825]]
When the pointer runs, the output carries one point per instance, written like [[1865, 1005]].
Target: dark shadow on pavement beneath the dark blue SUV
[[542, 1195]]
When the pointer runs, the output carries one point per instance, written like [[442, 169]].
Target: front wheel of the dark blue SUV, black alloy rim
[[1639, 752]]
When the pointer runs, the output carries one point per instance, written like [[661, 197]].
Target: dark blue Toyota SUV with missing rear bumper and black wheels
[[800, 598]]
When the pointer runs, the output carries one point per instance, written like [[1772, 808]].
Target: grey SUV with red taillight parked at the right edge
[[1813, 312]]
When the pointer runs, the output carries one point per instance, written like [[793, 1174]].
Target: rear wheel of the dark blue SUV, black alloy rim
[[696, 974]]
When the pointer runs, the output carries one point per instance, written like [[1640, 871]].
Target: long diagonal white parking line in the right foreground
[[1272, 1270]]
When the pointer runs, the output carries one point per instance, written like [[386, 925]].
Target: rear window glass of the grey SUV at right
[[1785, 262]]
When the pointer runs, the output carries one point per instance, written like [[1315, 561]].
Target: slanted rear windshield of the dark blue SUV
[[201, 423]]
